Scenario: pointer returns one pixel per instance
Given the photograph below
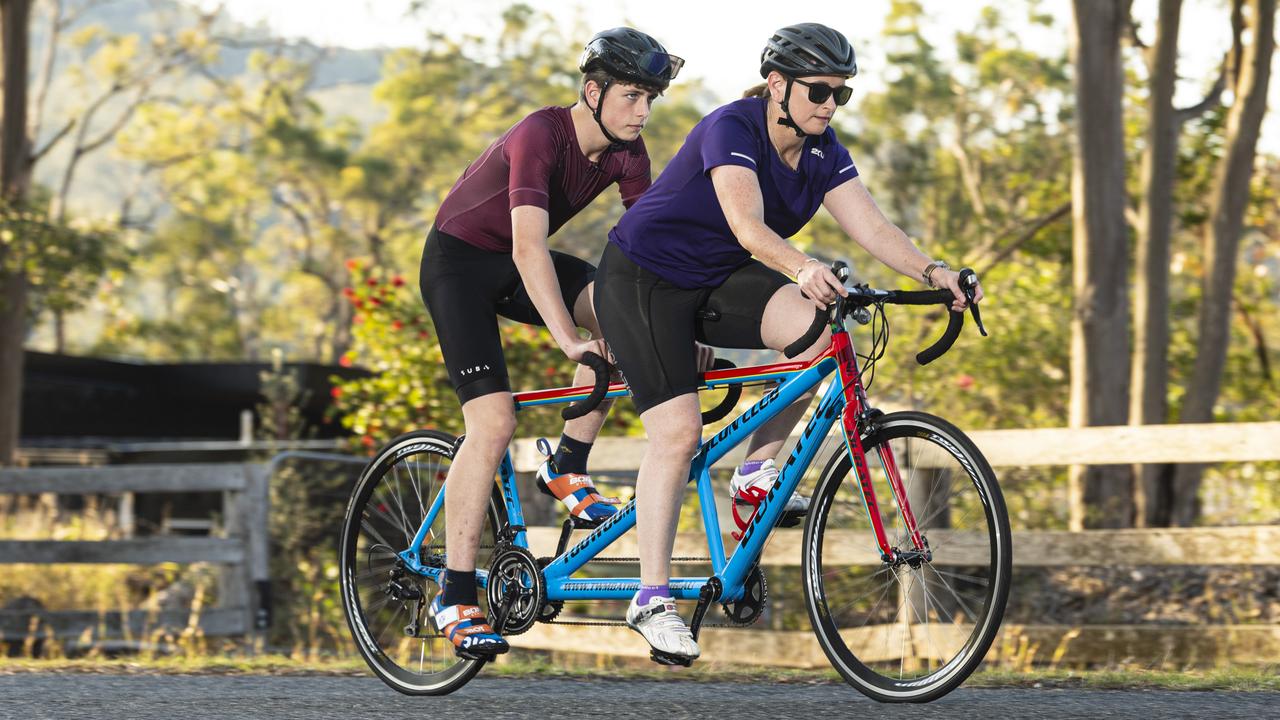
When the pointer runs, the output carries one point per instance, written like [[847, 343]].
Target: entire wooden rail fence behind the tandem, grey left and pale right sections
[[244, 549]]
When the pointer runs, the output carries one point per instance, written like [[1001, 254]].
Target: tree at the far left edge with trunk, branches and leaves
[[111, 67]]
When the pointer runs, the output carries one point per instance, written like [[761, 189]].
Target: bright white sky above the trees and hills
[[721, 42]]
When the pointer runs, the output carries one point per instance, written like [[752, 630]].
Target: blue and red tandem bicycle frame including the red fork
[[845, 399]]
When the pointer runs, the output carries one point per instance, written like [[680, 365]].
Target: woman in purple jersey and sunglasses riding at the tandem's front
[[710, 236]]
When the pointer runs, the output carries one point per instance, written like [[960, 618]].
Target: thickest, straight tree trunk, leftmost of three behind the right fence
[[1101, 496]]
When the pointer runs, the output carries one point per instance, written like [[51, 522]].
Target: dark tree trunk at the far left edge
[[15, 183]]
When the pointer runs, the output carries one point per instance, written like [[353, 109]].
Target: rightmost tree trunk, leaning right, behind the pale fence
[[1231, 195]]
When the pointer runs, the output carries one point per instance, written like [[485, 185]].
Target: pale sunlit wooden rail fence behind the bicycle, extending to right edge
[[1087, 645]]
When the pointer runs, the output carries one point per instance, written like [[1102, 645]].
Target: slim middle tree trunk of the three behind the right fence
[[1150, 382]]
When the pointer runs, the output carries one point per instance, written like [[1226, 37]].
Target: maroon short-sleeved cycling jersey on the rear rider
[[540, 163]]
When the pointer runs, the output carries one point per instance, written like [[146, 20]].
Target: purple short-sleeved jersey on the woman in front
[[678, 230]]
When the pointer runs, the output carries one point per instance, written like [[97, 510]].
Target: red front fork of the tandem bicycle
[[854, 405]]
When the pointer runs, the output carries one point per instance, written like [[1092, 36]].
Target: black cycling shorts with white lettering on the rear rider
[[467, 289]]
